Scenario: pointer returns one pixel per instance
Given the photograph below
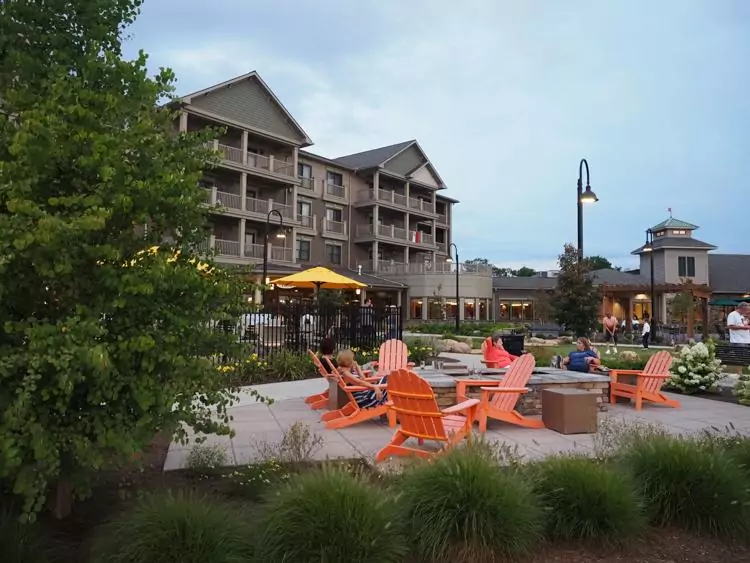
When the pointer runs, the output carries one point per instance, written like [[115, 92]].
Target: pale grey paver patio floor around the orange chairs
[[256, 424]]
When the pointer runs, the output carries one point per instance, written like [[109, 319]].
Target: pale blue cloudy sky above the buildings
[[506, 97]]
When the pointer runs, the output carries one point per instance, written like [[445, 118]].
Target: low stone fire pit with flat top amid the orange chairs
[[530, 403]]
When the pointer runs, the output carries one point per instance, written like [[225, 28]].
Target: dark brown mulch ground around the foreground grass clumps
[[117, 490]]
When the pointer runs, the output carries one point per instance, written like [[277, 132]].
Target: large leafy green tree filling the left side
[[106, 334]]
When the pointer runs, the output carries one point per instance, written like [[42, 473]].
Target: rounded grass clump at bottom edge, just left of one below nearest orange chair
[[330, 515]]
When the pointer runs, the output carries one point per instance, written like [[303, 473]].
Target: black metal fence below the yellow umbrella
[[301, 326]]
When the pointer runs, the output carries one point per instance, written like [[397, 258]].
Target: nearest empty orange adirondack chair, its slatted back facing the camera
[[420, 417]]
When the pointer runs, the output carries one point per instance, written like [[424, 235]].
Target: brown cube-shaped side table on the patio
[[570, 411]]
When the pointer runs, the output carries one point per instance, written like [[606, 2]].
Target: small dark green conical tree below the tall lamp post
[[575, 300]]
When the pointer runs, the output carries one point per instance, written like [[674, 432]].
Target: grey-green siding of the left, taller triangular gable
[[248, 102]]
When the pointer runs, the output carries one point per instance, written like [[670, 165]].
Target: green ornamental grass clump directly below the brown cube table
[[586, 500]]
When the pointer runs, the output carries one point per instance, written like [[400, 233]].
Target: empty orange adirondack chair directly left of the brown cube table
[[499, 398]]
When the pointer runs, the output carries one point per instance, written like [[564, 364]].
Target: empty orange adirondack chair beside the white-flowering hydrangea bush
[[648, 382]]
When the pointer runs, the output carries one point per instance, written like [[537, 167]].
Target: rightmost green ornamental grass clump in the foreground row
[[688, 484]]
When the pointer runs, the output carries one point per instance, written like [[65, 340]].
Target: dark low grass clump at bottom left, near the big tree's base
[[176, 529]]
